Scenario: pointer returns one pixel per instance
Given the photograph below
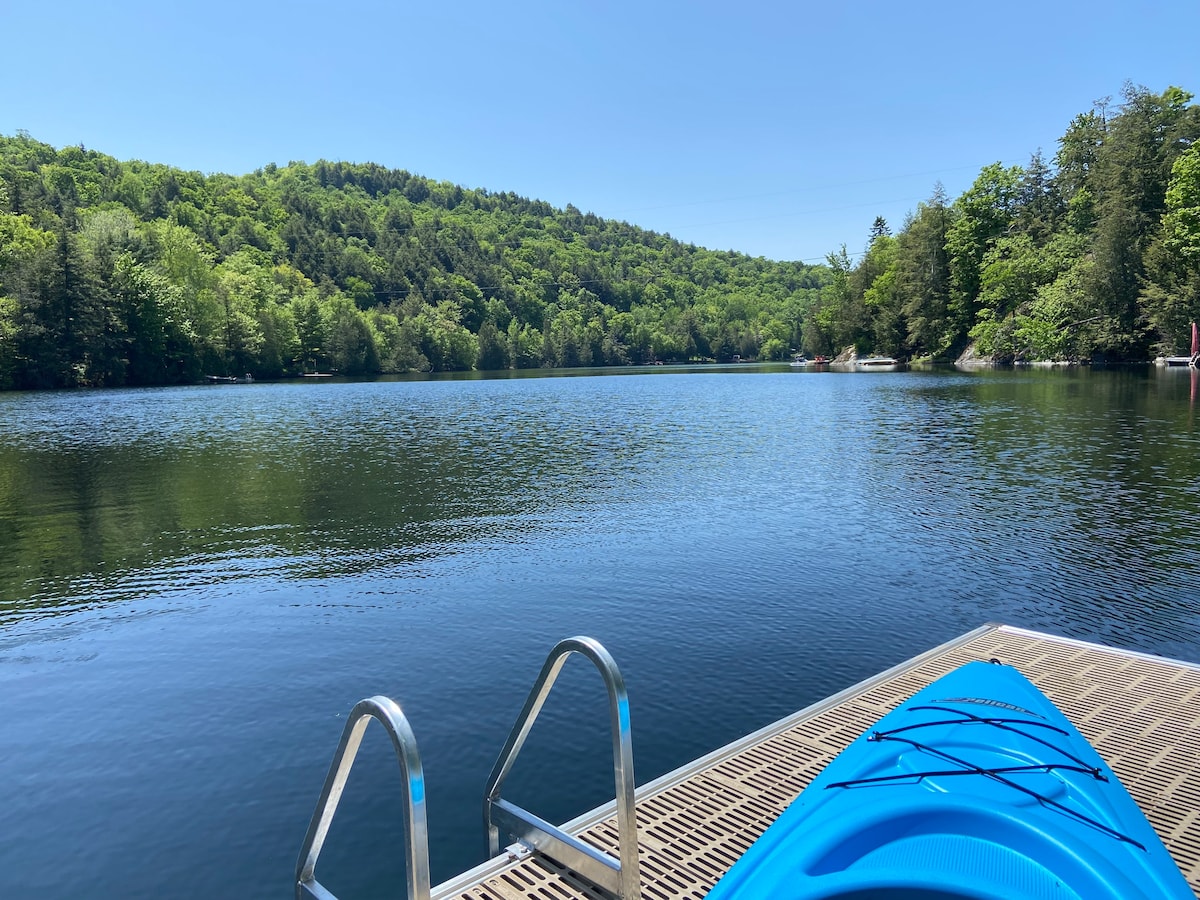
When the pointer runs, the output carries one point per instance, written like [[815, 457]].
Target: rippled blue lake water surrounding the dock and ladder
[[199, 584]]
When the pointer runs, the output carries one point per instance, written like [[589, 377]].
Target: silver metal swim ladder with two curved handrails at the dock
[[616, 877]]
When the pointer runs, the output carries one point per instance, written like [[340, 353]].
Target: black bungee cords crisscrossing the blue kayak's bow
[[998, 775]]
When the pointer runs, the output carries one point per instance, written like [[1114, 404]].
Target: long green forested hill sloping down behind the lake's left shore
[[127, 273]]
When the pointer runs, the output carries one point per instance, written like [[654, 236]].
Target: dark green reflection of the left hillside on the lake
[[112, 509]]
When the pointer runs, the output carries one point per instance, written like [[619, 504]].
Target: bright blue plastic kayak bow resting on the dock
[[979, 789]]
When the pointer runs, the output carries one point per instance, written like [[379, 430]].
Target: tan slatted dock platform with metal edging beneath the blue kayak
[[1142, 715]]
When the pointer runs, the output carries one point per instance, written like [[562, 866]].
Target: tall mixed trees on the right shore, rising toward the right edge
[[1095, 257]]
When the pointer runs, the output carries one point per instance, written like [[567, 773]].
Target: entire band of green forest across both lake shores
[[131, 273]]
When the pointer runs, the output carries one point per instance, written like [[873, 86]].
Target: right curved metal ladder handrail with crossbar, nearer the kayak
[[621, 879]]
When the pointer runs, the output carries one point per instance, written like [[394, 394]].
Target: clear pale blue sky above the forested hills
[[773, 129]]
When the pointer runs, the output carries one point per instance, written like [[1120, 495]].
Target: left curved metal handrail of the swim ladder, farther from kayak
[[417, 868]]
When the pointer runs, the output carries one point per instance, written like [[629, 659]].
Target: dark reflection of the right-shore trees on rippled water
[[1076, 489]]
